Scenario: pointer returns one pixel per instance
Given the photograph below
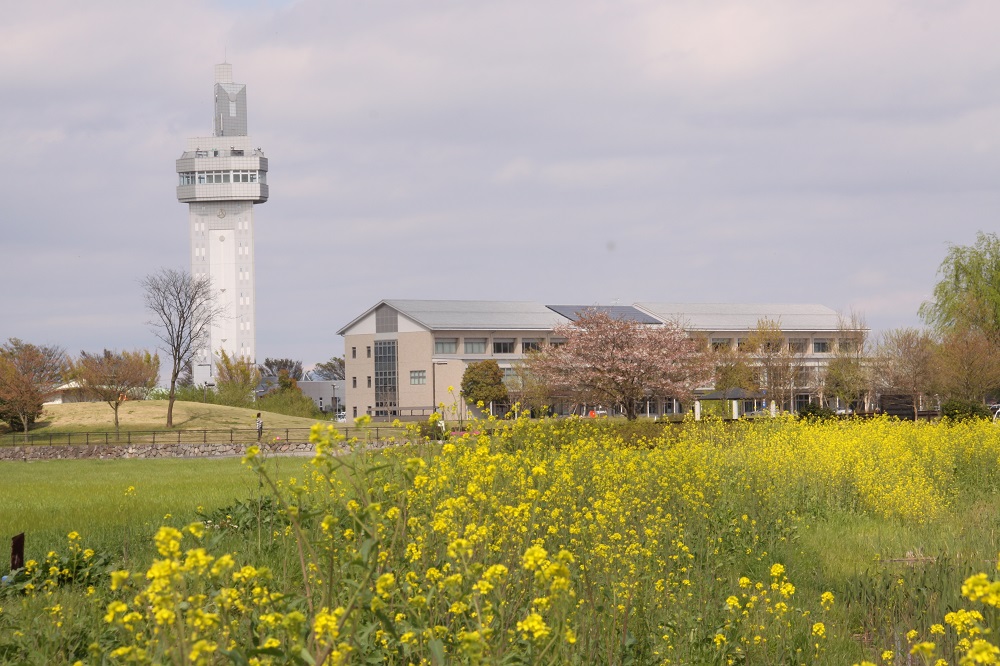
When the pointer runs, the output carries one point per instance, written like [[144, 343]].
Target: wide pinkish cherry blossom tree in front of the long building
[[621, 362]]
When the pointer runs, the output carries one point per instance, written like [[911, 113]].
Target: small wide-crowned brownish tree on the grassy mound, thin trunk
[[114, 377]]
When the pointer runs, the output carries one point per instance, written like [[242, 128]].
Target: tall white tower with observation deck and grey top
[[221, 177]]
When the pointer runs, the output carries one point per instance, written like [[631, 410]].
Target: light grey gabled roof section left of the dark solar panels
[[473, 315]]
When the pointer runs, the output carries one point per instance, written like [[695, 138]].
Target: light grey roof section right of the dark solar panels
[[744, 316]]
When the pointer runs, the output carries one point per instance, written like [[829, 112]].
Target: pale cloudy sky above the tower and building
[[563, 152]]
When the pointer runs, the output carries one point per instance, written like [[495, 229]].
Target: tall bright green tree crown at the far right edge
[[967, 294]]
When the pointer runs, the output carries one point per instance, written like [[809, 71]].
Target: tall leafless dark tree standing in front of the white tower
[[183, 311]]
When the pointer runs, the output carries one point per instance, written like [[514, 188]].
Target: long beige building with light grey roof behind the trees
[[401, 356]]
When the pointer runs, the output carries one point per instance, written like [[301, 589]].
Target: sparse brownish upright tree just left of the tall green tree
[[905, 363]]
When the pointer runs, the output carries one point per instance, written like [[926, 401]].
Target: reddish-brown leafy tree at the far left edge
[[28, 374]]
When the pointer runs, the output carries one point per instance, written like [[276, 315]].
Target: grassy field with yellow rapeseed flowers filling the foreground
[[557, 541]]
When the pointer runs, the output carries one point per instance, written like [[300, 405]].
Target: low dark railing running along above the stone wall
[[183, 436]]
